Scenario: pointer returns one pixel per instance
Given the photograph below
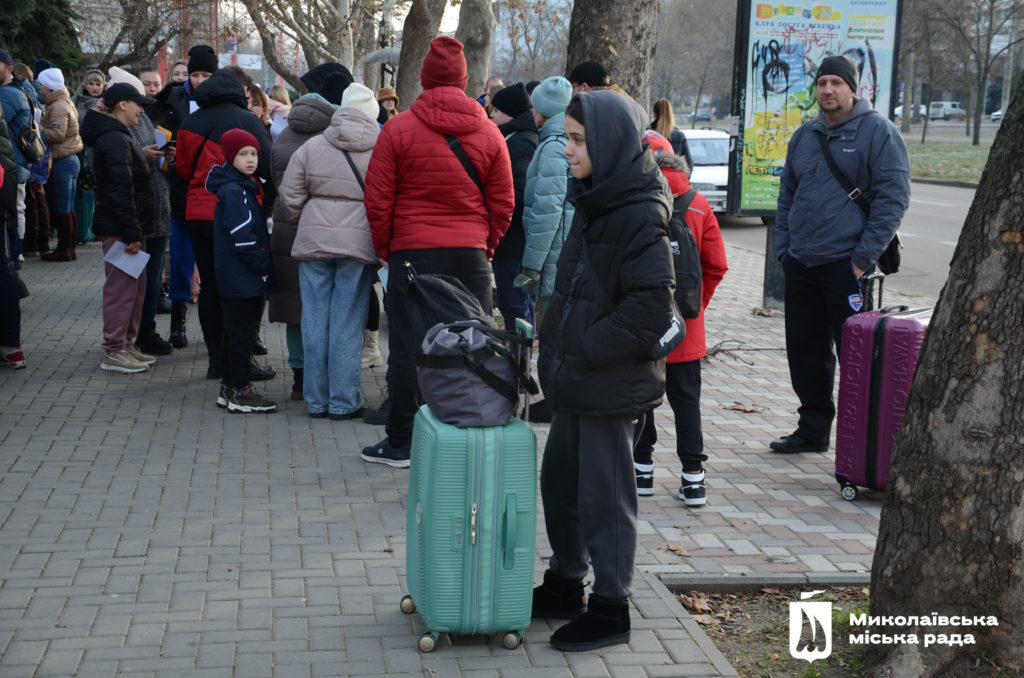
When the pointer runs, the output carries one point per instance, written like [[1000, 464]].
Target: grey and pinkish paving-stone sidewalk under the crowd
[[146, 533]]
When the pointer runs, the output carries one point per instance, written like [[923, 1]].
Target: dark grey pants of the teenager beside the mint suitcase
[[590, 500]]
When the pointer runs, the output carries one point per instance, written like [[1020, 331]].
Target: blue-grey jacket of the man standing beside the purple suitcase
[[817, 223]]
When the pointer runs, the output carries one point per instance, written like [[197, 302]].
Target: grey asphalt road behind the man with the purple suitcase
[[930, 231]]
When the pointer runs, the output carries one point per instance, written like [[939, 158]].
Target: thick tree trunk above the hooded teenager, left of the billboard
[[621, 35]]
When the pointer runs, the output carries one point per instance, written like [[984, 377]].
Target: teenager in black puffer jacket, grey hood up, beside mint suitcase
[[594, 368]]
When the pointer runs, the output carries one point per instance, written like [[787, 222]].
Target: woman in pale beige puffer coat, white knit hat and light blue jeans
[[322, 192]]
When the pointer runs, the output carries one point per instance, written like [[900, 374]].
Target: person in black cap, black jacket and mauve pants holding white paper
[[123, 220]]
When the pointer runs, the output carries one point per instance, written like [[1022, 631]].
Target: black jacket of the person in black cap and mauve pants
[[124, 191]]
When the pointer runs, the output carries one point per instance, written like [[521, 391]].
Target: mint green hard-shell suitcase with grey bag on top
[[472, 529]]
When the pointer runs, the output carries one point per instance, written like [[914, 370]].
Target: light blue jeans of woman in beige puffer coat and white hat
[[335, 301]]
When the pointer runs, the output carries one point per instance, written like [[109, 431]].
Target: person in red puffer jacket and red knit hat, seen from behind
[[424, 208]]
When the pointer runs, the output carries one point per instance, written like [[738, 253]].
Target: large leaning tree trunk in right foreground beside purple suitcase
[[952, 539]]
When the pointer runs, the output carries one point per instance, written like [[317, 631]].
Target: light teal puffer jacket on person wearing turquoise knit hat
[[547, 216]]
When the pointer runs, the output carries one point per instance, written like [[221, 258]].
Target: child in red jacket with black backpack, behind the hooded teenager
[[684, 365]]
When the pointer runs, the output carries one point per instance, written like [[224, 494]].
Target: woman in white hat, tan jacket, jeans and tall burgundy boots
[[61, 129]]
